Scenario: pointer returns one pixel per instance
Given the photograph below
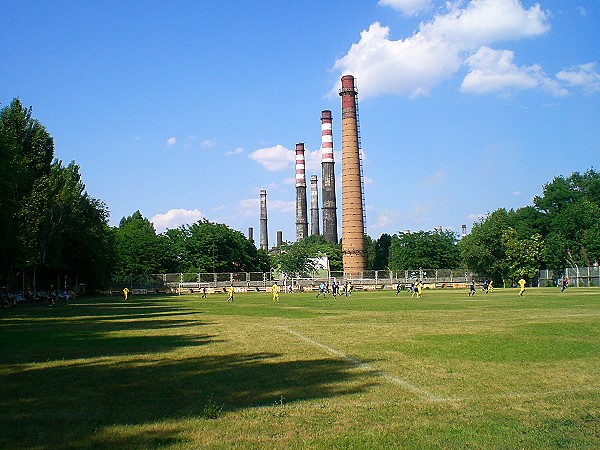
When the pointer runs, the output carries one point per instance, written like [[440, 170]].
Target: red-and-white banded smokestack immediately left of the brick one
[[328, 179]]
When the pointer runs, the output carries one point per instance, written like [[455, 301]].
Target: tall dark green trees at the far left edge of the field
[[46, 216]]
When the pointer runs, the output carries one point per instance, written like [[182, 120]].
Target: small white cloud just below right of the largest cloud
[[494, 71]]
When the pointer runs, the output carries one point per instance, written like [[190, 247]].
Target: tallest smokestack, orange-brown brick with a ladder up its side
[[353, 240]]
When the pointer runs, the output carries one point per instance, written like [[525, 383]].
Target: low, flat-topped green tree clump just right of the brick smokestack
[[424, 249]]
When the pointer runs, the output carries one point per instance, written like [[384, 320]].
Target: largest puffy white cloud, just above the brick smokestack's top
[[415, 65]]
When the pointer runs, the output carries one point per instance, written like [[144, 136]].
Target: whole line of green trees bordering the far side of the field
[[49, 222]]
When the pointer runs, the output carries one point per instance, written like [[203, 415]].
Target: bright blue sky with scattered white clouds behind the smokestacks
[[186, 110]]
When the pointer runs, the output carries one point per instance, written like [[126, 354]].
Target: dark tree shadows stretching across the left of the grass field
[[86, 387]]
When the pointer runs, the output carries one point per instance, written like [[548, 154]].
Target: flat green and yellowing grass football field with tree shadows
[[372, 371]]
